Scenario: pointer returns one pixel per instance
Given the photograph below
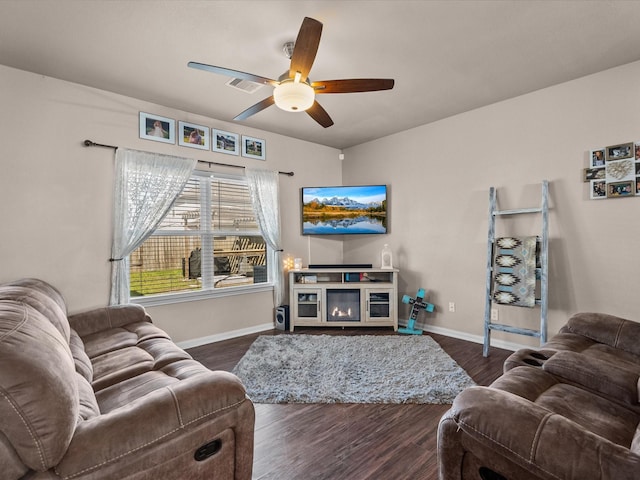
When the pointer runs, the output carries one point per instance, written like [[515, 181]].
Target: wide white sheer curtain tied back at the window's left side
[[146, 185]]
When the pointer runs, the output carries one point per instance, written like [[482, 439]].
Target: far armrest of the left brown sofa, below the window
[[100, 319]]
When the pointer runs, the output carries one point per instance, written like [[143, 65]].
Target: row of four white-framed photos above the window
[[162, 129]]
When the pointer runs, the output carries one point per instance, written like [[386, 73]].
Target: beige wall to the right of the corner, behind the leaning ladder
[[439, 177]]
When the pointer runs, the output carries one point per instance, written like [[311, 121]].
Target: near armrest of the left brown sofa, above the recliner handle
[[148, 430]]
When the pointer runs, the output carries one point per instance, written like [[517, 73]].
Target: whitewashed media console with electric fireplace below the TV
[[343, 297]]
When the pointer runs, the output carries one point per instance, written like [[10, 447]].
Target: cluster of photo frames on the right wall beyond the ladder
[[614, 171]]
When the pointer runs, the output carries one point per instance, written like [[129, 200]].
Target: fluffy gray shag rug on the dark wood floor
[[350, 369]]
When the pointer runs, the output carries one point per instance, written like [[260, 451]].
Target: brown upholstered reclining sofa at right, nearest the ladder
[[568, 411]]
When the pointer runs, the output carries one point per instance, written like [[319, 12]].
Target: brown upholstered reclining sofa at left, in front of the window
[[107, 395]]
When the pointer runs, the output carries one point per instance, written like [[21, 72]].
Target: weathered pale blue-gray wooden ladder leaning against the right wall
[[541, 271]]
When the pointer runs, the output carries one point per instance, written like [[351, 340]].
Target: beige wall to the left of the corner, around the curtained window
[[56, 195]]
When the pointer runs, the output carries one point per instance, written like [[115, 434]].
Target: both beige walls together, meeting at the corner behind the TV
[[56, 199]]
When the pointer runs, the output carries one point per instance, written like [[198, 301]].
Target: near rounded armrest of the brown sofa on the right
[[503, 430]]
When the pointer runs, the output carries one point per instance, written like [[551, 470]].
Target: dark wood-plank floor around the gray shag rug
[[349, 441]]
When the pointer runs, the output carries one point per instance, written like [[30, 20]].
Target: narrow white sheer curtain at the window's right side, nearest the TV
[[263, 187]]
